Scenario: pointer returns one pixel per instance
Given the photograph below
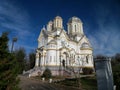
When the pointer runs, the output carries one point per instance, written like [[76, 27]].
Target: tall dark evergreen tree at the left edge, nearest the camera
[[8, 66]]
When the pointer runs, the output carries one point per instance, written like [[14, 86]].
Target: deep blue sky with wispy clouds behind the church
[[25, 18]]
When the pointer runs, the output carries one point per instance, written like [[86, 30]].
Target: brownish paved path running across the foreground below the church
[[32, 84]]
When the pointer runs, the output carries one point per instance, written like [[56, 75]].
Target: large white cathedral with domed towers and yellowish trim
[[59, 49]]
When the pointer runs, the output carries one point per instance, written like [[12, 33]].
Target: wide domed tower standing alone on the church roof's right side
[[75, 26]]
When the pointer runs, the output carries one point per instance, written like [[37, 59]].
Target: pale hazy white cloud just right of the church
[[106, 42]]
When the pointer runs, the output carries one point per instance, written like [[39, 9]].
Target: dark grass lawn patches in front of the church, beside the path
[[87, 83]]
